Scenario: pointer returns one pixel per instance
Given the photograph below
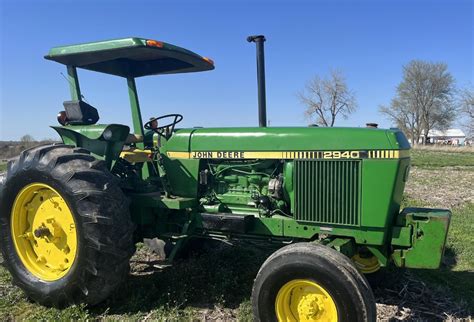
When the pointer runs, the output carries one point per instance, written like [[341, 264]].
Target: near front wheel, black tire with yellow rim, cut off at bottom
[[324, 280]]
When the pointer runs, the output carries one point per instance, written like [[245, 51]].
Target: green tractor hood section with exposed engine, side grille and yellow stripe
[[326, 178]]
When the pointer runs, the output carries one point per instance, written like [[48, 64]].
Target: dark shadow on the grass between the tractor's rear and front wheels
[[220, 277]]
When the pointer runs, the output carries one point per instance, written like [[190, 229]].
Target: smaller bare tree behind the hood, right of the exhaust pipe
[[326, 98]]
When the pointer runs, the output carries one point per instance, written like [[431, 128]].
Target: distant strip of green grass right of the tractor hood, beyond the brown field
[[440, 158]]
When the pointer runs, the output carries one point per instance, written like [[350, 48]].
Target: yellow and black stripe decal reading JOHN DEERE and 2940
[[307, 155]]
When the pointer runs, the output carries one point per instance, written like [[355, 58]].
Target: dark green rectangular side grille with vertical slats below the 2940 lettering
[[327, 191]]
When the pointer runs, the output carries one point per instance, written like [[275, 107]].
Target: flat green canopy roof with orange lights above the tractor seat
[[130, 57]]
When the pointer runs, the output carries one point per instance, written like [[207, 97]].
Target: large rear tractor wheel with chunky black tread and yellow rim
[[65, 228]]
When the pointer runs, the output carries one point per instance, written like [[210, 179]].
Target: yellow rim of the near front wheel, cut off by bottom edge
[[304, 300]]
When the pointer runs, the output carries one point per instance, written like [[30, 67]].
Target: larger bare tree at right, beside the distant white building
[[424, 100]]
